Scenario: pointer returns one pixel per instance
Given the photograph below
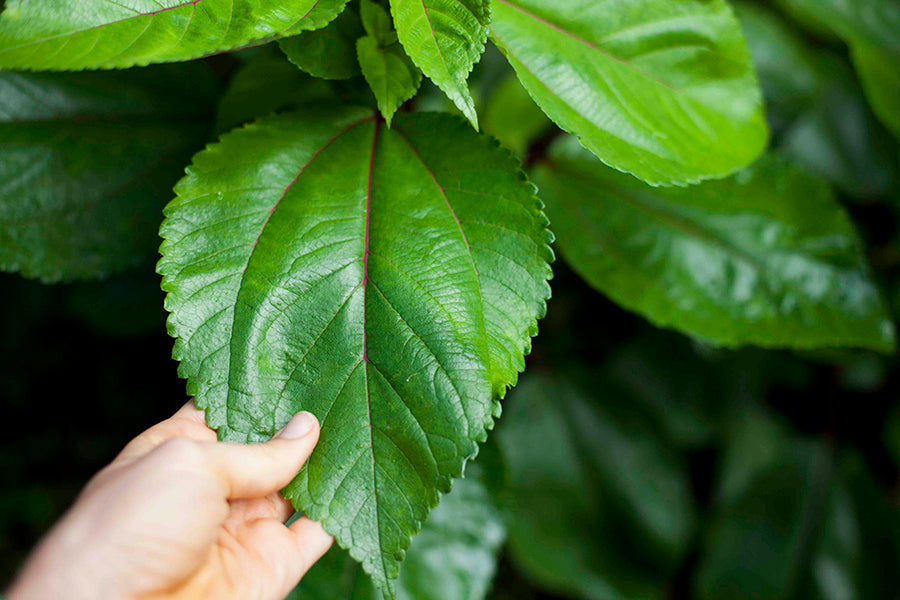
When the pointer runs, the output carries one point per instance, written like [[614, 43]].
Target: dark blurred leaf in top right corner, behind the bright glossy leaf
[[820, 115]]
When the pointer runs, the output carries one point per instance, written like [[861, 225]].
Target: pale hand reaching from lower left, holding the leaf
[[178, 515]]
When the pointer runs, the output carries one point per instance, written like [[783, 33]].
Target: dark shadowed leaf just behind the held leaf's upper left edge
[[268, 83]]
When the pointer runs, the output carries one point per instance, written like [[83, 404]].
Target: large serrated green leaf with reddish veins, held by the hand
[[387, 280]]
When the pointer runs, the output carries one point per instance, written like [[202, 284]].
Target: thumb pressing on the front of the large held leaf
[[256, 470]]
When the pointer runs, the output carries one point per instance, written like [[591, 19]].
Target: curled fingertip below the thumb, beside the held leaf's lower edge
[[288, 552]]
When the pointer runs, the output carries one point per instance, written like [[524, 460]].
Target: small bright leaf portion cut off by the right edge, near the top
[[879, 71]]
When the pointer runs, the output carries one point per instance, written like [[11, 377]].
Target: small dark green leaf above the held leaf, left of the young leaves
[[328, 53]]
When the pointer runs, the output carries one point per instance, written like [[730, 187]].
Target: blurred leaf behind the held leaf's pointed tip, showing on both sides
[[454, 557]]
